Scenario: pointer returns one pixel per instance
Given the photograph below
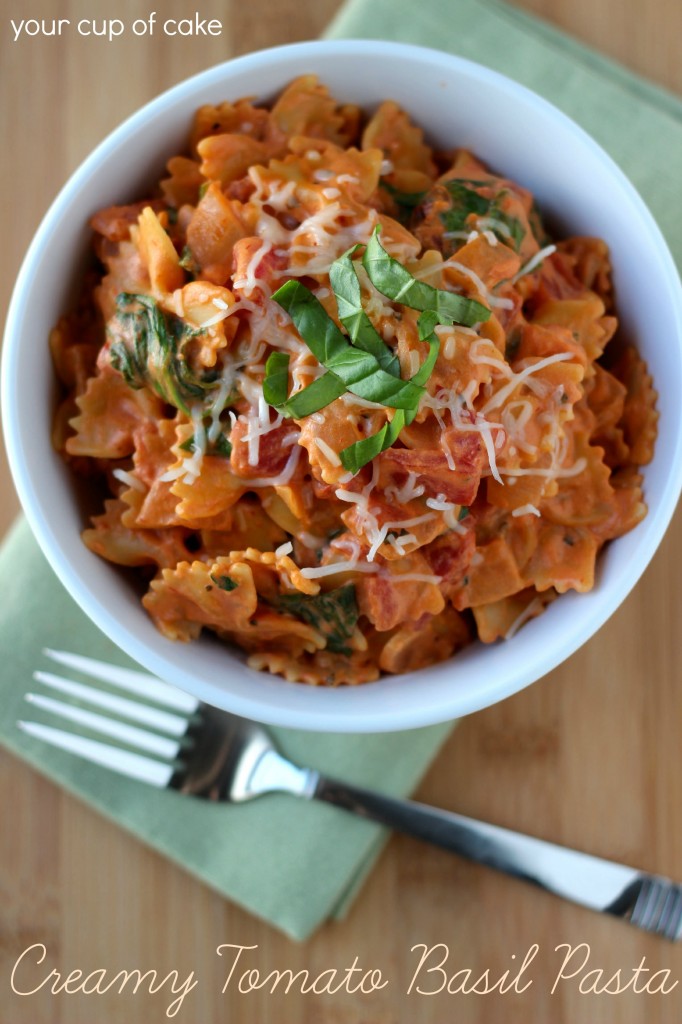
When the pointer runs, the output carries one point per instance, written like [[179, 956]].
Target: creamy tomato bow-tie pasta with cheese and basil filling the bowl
[[350, 405]]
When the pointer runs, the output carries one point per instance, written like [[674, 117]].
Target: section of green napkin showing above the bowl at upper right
[[640, 124]]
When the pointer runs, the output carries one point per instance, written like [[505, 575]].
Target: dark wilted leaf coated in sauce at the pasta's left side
[[149, 353]]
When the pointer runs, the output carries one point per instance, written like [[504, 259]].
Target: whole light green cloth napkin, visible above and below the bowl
[[295, 864]]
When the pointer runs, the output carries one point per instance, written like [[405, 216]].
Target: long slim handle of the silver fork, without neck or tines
[[593, 882]]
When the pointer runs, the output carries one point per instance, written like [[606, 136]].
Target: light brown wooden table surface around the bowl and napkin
[[588, 757]]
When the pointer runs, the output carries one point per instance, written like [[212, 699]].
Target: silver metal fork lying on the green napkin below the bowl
[[172, 741]]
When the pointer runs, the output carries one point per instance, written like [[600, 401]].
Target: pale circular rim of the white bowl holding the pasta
[[320, 715]]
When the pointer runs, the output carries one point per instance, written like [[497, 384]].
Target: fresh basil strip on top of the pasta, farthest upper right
[[396, 282]]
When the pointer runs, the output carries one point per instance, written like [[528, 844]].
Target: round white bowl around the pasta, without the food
[[459, 104]]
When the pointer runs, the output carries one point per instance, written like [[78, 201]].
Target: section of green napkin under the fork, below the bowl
[[292, 863]]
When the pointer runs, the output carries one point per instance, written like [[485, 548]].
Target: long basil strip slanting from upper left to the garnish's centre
[[359, 371]]
